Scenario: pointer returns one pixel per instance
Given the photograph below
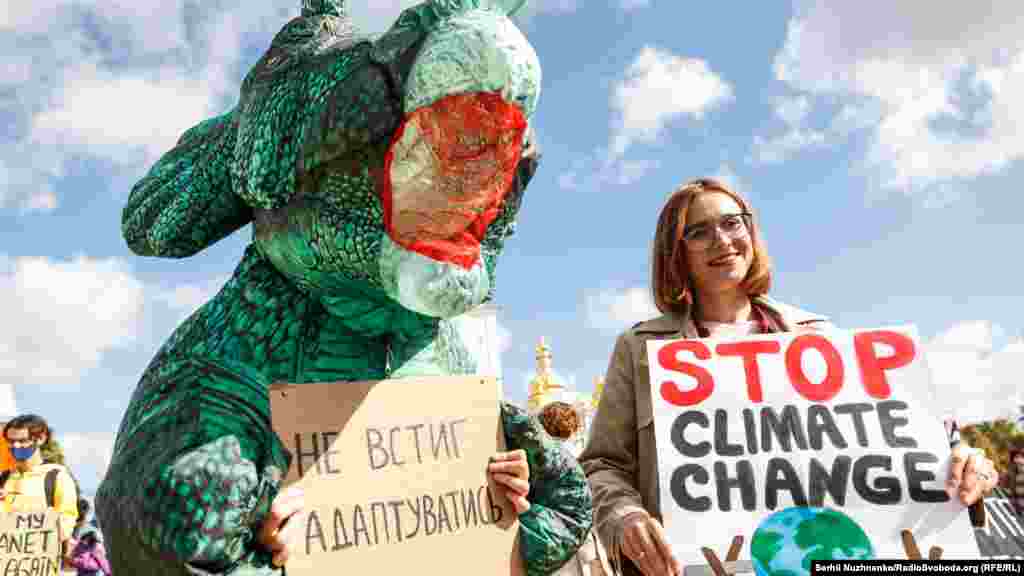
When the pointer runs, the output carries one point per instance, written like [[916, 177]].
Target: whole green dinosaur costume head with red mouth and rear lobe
[[393, 167]]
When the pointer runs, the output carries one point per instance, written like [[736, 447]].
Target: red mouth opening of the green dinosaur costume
[[447, 173]]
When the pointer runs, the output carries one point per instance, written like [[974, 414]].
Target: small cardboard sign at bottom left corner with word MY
[[30, 545]]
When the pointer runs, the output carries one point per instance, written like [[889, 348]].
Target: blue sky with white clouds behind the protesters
[[880, 144]]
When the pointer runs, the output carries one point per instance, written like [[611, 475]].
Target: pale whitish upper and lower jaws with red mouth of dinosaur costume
[[452, 167]]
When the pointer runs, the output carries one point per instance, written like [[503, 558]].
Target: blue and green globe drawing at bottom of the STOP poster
[[787, 542]]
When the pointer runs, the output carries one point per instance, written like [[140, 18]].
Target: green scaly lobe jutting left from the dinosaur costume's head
[[187, 202]]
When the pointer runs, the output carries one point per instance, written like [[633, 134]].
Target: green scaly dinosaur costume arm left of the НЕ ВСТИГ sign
[[194, 472]]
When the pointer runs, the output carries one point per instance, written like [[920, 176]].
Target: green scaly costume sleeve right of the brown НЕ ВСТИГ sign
[[561, 516]]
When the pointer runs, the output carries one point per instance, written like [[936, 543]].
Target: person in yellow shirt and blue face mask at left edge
[[34, 485]]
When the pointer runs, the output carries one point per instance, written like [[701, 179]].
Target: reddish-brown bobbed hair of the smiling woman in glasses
[[670, 262]]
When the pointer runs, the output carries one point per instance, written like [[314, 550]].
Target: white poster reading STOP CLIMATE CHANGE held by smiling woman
[[840, 420]]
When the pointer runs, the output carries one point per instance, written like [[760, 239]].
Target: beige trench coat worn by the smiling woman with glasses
[[621, 459]]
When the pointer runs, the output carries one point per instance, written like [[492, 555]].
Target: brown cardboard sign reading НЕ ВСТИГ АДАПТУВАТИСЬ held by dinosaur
[[395, 476]]
